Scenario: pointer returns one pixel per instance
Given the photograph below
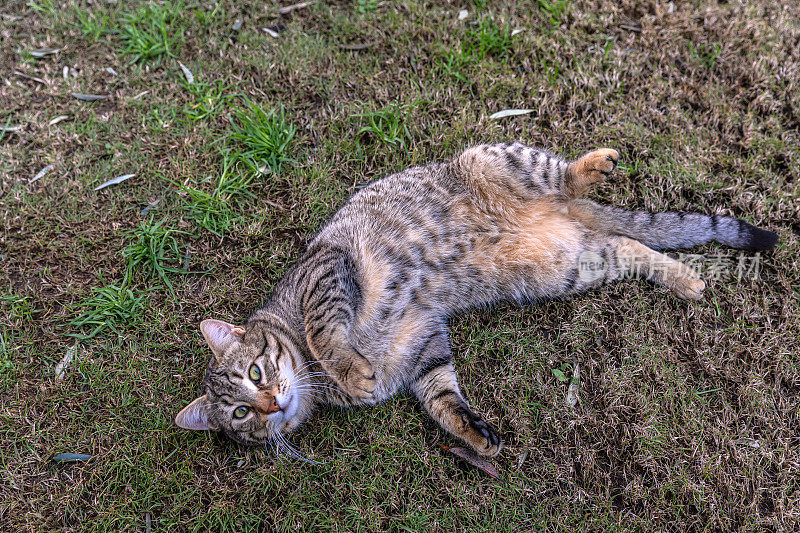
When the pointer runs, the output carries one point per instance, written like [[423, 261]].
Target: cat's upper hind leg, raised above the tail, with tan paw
[[502, 176]]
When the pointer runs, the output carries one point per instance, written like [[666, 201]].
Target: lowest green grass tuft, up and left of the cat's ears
[[108, 308]]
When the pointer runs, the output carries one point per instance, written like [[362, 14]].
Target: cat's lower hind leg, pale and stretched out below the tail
[[624, 257]]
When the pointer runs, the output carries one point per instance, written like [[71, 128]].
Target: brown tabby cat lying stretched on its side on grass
[[364, 312]]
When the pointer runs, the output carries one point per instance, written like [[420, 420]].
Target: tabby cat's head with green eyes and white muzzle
[[252, 388]]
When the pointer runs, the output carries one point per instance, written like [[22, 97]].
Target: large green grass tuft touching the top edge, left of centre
[[149, 32]]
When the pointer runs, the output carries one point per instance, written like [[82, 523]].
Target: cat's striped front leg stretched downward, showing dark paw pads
[[436, 387]]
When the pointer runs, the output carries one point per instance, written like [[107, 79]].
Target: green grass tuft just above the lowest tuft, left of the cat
[[152, 249]]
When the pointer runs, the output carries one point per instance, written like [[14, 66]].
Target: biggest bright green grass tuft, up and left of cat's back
[[265, 138]]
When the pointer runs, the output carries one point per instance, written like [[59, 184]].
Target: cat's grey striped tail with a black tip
[[673, 230]]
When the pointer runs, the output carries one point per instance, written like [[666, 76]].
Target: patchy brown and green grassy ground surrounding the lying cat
[[687, 417]]
